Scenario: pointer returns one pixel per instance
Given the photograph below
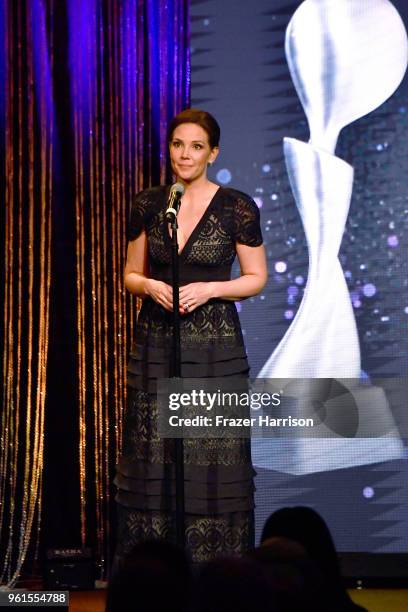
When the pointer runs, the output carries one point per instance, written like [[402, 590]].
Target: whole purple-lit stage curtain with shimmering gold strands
[[88, 88]]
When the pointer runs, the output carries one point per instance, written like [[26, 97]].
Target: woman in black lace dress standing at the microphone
[[215, 224]]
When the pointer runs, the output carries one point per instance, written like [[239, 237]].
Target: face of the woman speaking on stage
[[190, 152]]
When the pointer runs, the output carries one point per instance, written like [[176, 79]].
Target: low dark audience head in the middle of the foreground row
[[234, 585]]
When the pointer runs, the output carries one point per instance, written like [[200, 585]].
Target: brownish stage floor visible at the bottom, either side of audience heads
[[375, 600]]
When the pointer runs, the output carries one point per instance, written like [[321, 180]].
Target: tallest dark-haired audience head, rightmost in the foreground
[[306, 527]]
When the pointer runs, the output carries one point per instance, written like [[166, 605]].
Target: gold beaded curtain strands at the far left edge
[[27, 279]]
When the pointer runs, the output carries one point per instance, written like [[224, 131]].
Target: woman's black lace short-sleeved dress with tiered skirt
[[218, 472]]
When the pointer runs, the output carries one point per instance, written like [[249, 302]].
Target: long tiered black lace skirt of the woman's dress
[[218, 472]]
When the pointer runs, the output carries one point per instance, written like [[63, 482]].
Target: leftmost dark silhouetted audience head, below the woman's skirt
[[154, 576]]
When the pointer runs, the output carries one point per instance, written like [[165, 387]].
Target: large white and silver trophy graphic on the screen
[[346, 57]]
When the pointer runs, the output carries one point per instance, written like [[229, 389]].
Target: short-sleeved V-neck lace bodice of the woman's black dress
[[209, 252]]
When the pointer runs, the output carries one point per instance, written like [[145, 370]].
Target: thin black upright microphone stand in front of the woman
[[176, 373]]
